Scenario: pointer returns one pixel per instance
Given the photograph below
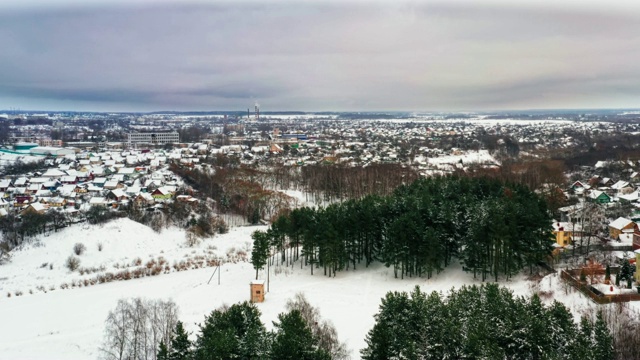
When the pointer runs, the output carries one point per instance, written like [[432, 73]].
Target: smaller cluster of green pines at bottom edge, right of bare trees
[[236, 332]]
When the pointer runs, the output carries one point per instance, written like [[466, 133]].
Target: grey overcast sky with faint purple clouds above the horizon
[[143, 55]]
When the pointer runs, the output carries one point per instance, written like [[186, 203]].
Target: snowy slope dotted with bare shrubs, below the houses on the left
[[41, 262]]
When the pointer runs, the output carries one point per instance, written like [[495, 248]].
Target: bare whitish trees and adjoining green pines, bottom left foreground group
[[142, 330]]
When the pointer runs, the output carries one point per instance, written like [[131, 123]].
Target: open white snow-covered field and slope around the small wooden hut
[[68, 324]]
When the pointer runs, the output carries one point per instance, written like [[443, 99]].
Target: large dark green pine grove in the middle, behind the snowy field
[[494, 228]]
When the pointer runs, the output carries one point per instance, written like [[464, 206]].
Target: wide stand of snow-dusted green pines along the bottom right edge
[[482, 322]]
